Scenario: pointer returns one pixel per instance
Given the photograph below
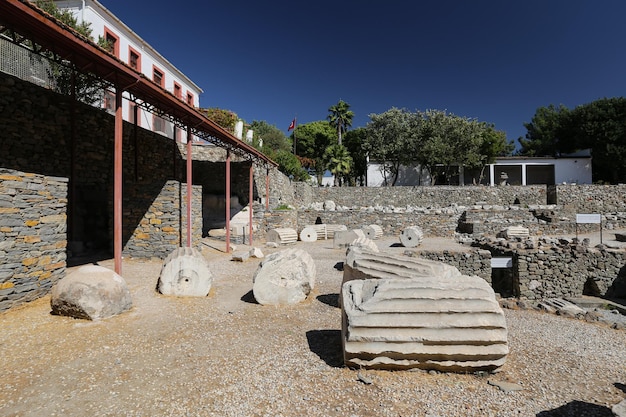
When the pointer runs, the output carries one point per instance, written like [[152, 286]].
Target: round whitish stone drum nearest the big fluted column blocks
[[284, 277]]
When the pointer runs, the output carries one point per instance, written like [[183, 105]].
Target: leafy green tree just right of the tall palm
[[392, 138]]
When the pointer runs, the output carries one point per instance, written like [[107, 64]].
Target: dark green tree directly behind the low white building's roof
[[545, 132]]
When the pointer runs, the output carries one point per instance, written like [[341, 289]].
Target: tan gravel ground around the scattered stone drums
[[225, 355]]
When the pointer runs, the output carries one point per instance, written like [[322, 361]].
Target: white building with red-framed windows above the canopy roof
[[131, 49]]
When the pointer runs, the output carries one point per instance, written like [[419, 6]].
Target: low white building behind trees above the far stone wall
[[515, 170]]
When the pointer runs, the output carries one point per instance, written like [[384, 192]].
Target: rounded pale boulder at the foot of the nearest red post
[[91, 292]]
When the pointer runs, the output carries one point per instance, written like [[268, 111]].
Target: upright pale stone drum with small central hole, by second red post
[[185, 273]]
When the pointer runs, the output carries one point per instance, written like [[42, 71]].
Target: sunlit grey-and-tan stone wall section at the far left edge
[[32, 235]]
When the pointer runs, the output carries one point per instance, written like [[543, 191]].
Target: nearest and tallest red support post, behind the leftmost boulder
[[117, 183]]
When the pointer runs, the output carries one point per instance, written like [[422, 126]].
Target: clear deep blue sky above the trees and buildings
[[493, 60]]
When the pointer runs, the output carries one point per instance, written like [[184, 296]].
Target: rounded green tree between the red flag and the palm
[[311, 142]]
